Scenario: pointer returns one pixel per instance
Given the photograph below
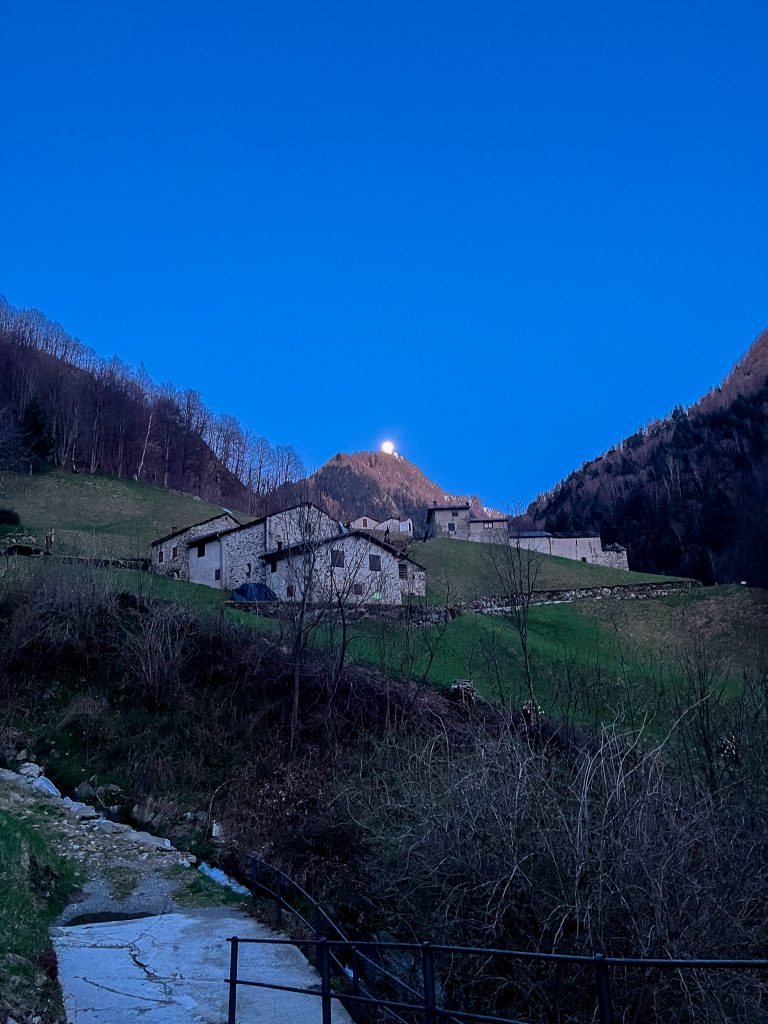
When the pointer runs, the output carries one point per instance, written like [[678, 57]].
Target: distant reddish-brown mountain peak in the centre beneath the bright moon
[[374, 484]]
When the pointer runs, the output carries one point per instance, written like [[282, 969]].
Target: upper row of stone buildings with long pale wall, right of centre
[[456, 522]]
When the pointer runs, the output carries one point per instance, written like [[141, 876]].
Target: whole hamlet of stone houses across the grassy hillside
[[303, 553]]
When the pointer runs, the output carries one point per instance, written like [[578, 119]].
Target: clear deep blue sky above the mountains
[[504, 234]]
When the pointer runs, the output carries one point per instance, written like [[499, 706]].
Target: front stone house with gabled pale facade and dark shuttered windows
[[353, 569]]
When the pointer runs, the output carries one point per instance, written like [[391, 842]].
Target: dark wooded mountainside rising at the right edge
[[689, 495]]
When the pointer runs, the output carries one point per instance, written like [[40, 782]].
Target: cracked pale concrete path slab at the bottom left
[[173, 969]]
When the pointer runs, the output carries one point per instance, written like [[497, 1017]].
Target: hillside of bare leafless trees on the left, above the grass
[[61, 404]]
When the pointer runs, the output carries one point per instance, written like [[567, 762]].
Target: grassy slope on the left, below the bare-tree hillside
[[99, 516]]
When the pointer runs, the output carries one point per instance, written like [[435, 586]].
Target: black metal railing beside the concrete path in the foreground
[[353, 972]]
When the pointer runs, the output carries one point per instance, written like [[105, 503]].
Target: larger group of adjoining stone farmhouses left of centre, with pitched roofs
[[224, 553]]
